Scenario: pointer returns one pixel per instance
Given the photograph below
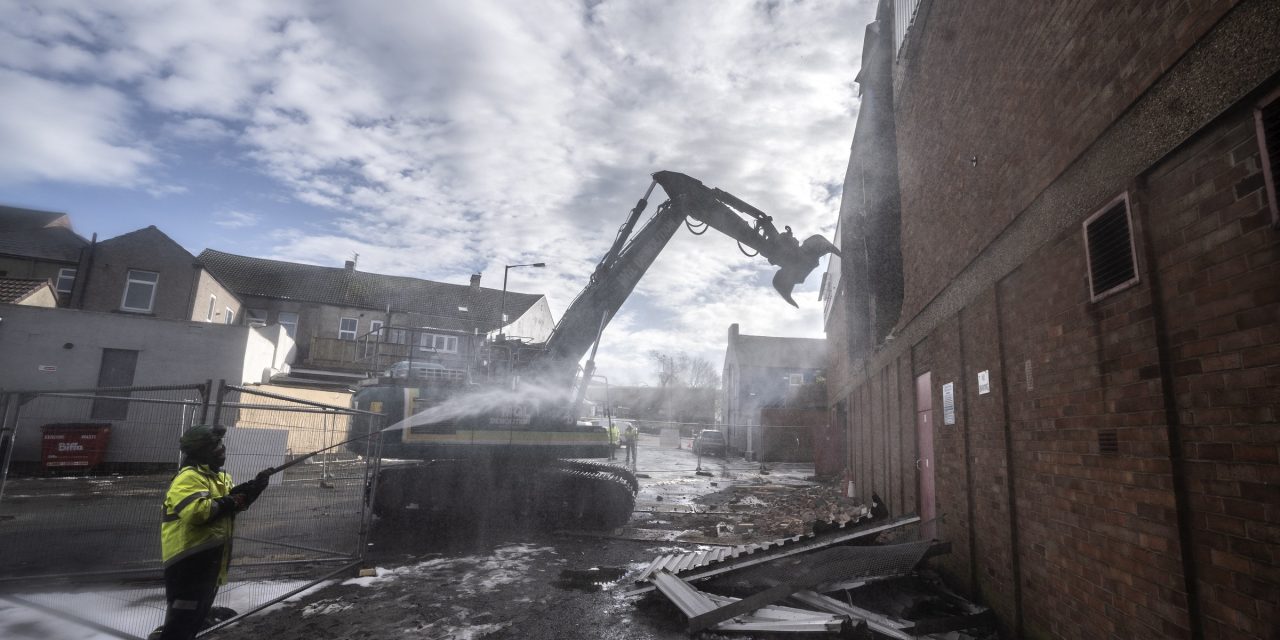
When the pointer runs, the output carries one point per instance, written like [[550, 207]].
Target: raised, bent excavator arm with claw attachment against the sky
[[630, 258]]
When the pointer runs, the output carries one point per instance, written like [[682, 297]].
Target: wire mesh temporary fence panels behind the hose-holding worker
[[80, 528]]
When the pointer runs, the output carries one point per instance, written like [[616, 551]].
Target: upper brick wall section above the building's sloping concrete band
[[1073, 66]]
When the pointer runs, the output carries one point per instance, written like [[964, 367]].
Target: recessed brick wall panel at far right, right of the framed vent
[[1219, 272]]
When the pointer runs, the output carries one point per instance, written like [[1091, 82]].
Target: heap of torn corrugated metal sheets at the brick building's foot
[[834, 582]]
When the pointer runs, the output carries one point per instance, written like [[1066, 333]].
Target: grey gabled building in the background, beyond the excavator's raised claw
[[765, 372]]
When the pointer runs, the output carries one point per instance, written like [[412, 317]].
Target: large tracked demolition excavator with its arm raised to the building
[[510, 446]]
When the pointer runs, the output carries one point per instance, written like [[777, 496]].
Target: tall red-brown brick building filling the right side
[[1057, 330]]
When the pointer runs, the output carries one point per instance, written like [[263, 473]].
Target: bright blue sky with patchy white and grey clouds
[[444, 139]]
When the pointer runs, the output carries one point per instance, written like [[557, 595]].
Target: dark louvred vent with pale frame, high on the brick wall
[[1109, 245]]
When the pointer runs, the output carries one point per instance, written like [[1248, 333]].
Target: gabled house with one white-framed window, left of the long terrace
[[147, 273]]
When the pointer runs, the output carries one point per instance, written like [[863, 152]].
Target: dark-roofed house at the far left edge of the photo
[[40, 245]]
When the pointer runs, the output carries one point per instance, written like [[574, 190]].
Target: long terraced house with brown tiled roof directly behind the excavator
[[349, 323]]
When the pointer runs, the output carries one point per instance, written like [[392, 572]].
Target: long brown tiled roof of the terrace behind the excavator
[[351, 289]]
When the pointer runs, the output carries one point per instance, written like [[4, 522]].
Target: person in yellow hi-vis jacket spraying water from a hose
[[196, 531]]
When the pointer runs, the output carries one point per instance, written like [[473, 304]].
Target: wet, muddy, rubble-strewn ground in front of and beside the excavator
[[496, 583]]
